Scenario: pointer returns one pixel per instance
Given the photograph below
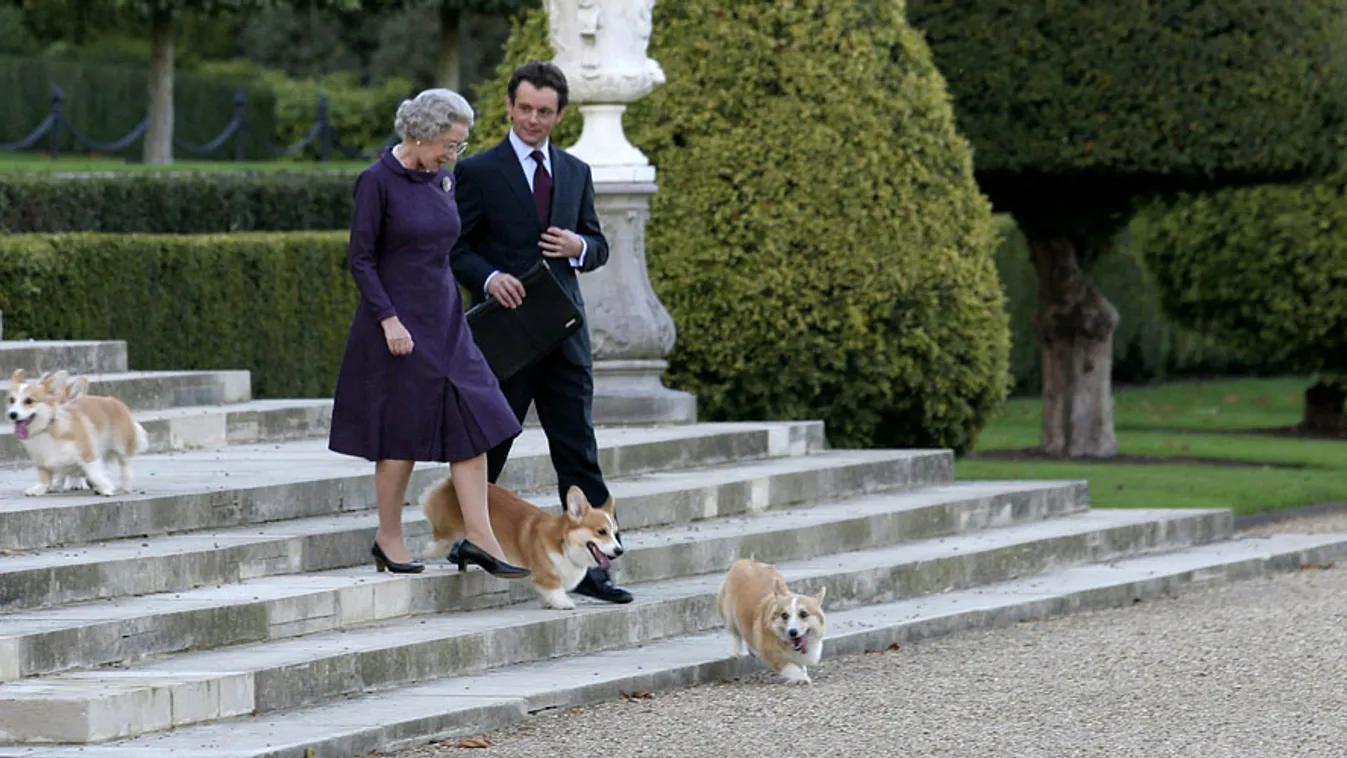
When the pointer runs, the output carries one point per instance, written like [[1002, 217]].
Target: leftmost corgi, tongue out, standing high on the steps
[[69, 434]]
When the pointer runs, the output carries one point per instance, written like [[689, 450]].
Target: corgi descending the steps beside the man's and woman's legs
[[558, 549]]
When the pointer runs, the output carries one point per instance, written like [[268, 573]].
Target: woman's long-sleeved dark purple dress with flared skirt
[[442, 402]]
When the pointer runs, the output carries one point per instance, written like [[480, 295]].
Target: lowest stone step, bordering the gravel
[[475, 705]]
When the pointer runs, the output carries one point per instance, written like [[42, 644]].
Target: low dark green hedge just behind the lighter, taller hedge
[[177, 203]]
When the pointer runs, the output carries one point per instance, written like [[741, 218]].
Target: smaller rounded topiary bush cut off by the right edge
[[1266, 271]]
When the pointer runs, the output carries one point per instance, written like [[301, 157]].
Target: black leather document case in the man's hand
[[513, 339]]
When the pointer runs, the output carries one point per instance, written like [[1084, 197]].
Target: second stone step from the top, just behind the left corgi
[[157, 391]]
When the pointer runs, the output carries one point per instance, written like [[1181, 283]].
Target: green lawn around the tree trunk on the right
[[1182, 422]]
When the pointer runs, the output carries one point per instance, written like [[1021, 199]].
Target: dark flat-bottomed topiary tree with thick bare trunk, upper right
[[1077, 110]]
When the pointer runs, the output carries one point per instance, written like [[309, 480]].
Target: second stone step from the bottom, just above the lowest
[[201, 687]]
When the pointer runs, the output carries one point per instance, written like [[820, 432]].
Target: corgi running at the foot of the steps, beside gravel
[[783, 628]]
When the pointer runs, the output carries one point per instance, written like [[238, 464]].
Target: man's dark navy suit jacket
[[502, 227]]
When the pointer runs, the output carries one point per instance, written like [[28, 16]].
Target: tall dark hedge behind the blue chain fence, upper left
[[106, 102]]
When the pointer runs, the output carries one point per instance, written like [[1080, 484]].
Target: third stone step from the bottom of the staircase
[[278, 608]]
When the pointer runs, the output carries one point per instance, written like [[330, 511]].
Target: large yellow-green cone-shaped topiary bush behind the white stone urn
[[818, 236]]
